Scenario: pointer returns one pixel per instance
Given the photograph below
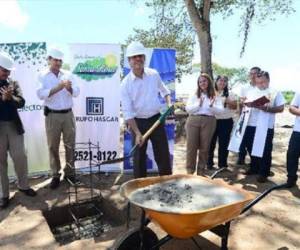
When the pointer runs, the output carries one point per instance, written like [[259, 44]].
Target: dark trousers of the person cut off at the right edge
[[292, 157]]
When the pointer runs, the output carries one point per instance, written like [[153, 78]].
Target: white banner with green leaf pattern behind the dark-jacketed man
[[29, 59]]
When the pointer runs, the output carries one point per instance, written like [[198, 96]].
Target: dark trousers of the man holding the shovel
[[160, 149]]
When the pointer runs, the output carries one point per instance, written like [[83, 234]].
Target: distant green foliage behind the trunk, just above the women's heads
[[235, 75]]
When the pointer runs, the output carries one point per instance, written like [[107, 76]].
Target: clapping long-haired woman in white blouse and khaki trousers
[[200, 124]]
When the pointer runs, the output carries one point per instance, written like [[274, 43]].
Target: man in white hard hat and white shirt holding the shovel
[[141, 108]]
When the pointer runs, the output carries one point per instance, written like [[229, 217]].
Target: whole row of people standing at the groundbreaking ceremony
[[211, 109]]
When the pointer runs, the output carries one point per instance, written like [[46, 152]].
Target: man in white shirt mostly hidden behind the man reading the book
[[244, 91]]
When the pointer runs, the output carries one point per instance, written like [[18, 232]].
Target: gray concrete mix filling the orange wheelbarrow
[[188, 195]]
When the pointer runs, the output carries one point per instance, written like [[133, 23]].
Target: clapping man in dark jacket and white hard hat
[[11, 132]]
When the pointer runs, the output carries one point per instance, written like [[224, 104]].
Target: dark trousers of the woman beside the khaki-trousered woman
[[222, 135]]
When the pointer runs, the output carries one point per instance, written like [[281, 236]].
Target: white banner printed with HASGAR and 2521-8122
[[96, 69]]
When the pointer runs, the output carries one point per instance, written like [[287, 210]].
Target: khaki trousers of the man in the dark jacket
[[12, 142]]
